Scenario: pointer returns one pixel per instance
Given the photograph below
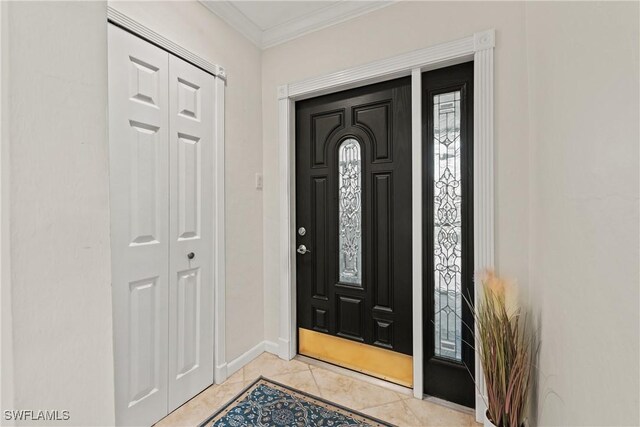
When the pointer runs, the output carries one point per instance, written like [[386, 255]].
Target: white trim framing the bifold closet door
[[218, 259]]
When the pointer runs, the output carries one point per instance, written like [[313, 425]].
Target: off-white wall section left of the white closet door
[[59, 187]]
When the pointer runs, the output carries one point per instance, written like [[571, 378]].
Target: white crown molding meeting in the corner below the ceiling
[[330, 15]]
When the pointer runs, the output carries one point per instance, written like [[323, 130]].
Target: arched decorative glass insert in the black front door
[[350, 211]]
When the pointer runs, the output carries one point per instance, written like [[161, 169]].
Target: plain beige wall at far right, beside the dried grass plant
[[584, 112]]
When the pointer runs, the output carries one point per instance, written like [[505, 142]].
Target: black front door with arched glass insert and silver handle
[[353, 218]]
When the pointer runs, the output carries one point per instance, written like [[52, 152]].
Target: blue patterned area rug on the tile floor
[[268, 403]]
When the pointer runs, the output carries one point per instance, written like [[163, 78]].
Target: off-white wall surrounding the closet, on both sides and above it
[[59, 207]]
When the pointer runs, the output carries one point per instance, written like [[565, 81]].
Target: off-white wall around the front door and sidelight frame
[[396, 29]]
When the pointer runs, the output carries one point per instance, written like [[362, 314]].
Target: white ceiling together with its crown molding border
[[268, 23]]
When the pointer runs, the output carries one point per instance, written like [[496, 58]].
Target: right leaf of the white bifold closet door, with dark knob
[[191, 102]]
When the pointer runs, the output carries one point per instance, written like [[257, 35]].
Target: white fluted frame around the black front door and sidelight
[[478, 48]]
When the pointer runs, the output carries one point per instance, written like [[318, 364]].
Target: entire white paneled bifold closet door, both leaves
[[161, 186]]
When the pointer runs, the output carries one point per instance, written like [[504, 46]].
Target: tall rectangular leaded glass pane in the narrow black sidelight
[[447, 226]]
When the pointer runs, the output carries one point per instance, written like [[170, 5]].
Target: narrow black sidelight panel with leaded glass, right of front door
[[448, 233]]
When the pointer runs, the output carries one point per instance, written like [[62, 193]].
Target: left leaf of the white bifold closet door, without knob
[[138, 149]]
